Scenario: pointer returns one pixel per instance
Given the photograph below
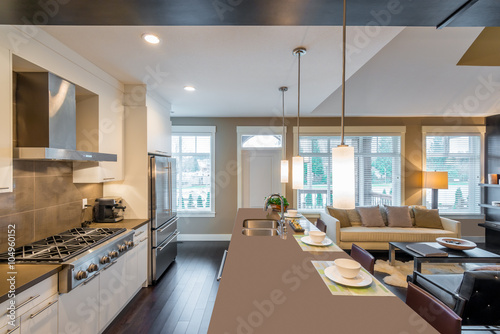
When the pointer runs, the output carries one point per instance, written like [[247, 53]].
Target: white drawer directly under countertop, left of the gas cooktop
[[30, 298]]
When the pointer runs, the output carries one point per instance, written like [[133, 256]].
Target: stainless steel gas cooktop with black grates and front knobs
[[83, 253]]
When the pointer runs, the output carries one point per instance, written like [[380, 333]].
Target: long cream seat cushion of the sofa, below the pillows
[[389, 234]]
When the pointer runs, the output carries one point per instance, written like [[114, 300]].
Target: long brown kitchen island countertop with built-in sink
[[269, 285]]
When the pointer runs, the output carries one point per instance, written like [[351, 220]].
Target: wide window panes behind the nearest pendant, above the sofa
[[377, 168]]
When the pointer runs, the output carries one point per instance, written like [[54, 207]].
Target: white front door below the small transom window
[[260, 175]]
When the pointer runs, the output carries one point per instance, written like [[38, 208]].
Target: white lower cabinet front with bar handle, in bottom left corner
[[41, 319]]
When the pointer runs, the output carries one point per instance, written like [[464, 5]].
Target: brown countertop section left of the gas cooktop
[[27, 276]]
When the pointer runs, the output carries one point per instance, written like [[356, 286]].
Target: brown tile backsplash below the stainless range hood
[[45, 201]]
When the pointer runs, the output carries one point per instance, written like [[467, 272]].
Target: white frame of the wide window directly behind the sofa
[[353, 131]]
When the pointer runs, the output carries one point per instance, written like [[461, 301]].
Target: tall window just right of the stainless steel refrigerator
[[193, 148]]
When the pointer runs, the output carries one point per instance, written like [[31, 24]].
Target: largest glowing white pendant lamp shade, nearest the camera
[[343, 184]]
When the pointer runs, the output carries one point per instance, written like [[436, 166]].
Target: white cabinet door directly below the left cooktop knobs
[[79, 309]]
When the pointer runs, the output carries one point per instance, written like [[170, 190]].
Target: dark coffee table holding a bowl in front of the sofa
[[476, 255]]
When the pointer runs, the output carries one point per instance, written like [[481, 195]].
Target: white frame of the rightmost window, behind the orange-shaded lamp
[[455, 131]]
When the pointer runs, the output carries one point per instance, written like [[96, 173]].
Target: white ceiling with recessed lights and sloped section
[[237, 70]]
